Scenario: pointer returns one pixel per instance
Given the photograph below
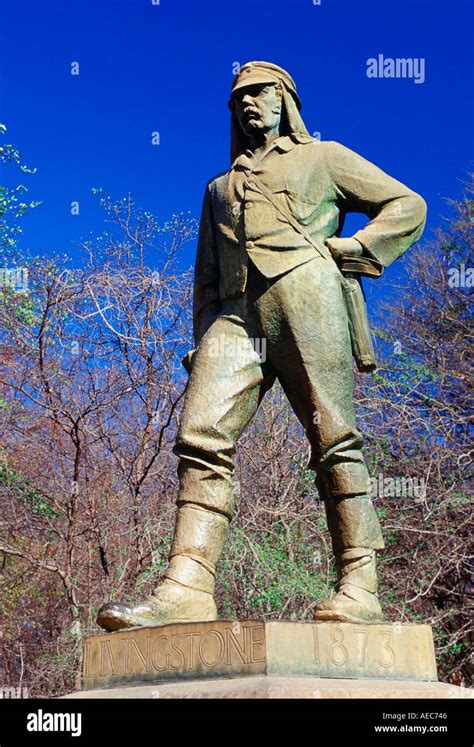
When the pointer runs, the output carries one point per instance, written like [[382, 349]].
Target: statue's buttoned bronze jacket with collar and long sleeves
[[318, 182]]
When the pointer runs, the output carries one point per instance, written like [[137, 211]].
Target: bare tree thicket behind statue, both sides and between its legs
[[88, 480]]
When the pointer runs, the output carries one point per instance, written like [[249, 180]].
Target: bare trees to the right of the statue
[[418, 414]]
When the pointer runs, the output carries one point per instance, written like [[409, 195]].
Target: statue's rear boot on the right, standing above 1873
[[355, 533]]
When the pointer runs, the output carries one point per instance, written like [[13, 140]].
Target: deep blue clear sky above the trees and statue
[[168, 68]]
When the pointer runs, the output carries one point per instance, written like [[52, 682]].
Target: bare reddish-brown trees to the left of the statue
[[93, 392]]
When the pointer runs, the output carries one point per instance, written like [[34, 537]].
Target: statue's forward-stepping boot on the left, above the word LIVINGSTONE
[[186, 593]]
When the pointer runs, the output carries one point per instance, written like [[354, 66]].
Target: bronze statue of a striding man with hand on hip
[[268, 267]]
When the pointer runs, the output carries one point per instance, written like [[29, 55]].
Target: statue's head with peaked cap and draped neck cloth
[[263, 97]]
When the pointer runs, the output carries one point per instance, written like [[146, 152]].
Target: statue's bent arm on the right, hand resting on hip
[[397, 214]]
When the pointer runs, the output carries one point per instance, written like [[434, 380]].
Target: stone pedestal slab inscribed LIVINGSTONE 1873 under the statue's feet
[[251, 648]]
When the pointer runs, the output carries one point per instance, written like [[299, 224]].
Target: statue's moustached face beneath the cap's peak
[[258, 108]]
